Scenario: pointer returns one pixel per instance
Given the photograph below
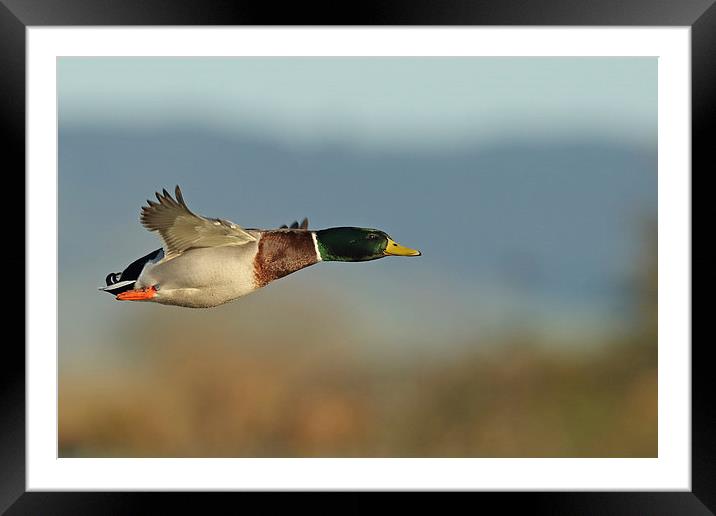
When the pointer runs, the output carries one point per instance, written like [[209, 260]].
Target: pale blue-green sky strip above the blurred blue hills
[[383, 102]]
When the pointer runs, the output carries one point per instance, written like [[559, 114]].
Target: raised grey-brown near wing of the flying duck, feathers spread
[[181, 229]]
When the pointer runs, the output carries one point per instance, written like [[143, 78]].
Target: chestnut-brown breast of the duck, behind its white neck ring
[[282, 252]]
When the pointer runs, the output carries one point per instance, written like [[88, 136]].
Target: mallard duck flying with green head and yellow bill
[[207, 262]]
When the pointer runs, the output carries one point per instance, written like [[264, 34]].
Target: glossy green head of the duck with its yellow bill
[[358, 245]]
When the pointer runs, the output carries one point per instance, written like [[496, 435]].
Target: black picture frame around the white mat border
[[17, 15]]
